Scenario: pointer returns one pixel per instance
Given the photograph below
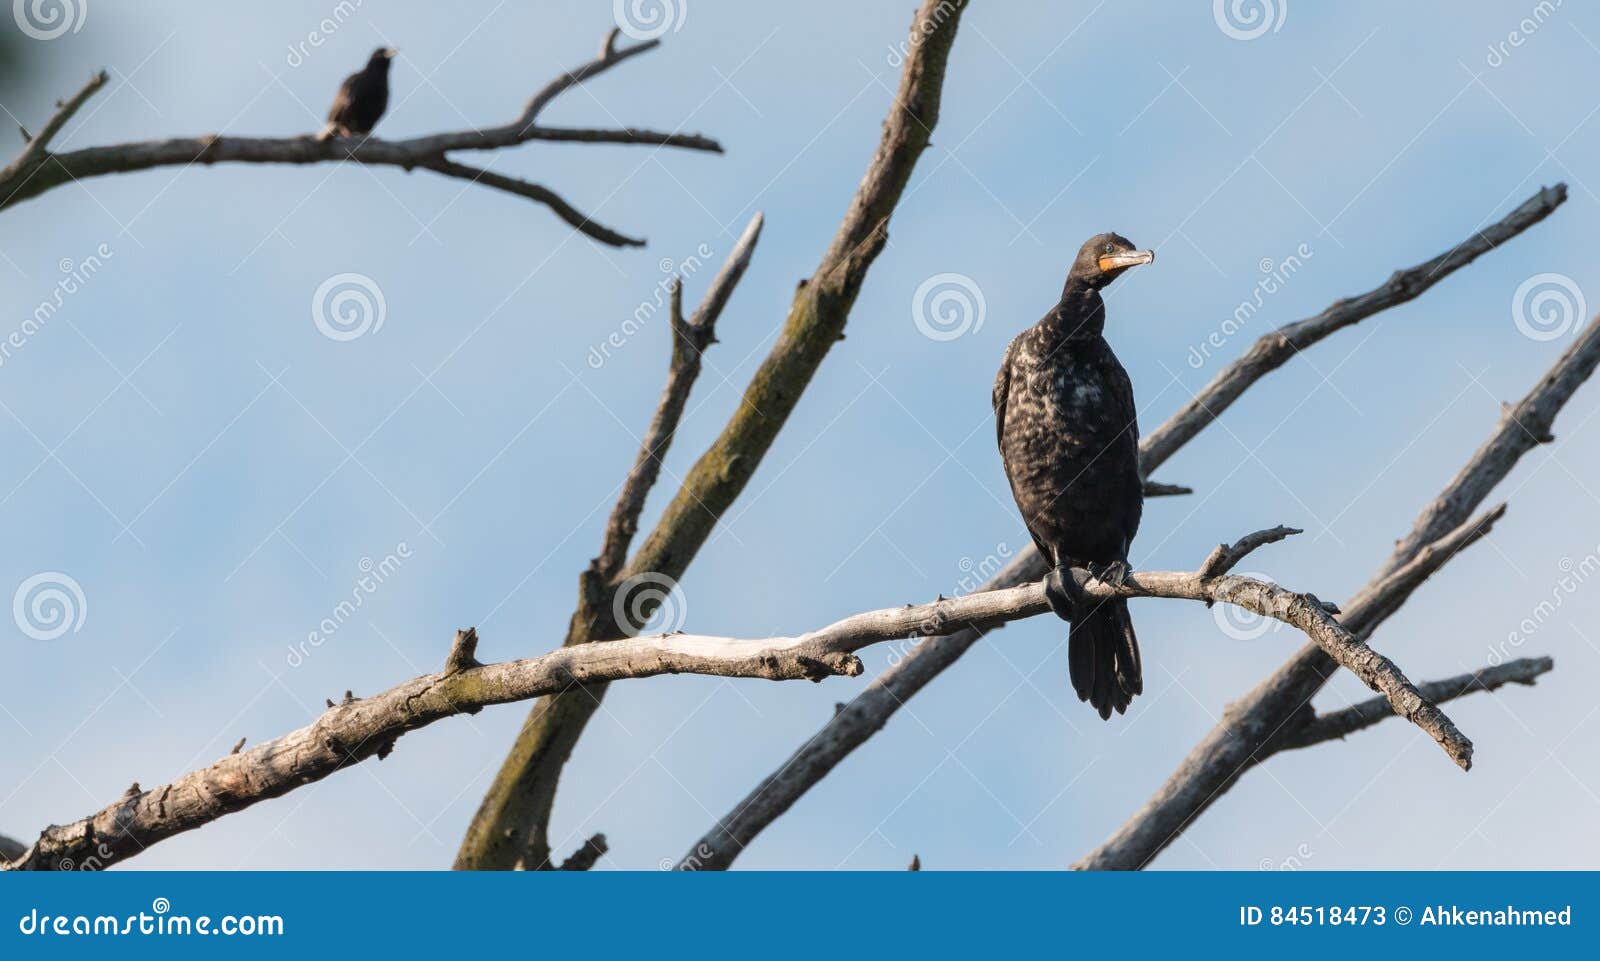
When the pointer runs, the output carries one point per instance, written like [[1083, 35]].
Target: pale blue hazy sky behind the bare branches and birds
[[214, 471]]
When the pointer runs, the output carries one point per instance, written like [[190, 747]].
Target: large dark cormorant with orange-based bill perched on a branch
[[1070, 439]]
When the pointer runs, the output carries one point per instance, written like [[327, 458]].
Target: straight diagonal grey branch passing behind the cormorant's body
[[871, 711]]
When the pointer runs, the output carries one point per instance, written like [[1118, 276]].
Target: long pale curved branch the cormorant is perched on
[[356, 730]]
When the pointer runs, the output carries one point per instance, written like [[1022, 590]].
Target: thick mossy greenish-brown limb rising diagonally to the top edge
[[513, 821]]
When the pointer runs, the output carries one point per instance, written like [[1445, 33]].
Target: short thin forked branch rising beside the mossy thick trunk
[[690, 340]]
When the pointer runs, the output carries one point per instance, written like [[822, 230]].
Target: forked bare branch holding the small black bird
[[39, 170]]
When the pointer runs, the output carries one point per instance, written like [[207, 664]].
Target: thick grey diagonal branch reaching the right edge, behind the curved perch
[[1254, 722]]
